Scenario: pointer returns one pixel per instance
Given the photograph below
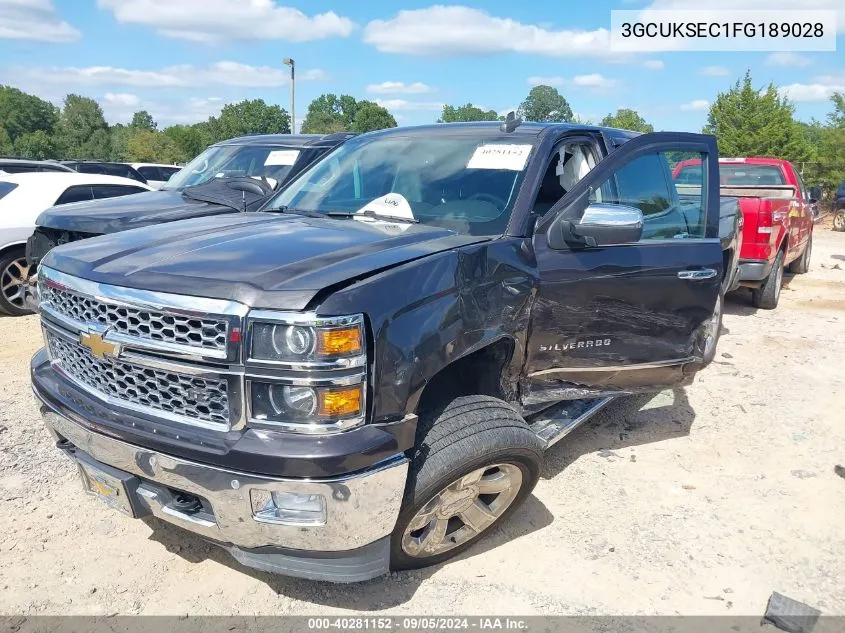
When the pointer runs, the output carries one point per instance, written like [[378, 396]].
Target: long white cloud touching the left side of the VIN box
[[459, 30]]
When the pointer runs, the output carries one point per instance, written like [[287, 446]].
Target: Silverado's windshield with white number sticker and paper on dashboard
[[464, 183]]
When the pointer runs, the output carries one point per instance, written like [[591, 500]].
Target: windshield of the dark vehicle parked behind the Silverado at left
[[268, 163]]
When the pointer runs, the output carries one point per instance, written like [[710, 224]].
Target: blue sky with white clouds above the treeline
[[182, 60]]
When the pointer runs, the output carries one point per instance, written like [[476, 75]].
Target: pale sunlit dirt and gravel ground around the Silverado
[[700, 501]]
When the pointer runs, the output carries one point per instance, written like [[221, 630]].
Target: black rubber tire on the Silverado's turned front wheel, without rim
[[469, 433]]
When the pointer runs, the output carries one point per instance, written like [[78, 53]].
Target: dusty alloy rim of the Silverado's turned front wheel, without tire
[[462, 510]]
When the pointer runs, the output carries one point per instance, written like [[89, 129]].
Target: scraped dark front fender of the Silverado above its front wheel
[[436, 318]]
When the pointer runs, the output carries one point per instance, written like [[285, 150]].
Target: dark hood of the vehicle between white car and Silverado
[[127, 212]]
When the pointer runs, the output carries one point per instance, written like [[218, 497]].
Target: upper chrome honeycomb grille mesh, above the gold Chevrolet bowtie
[[150, 325]]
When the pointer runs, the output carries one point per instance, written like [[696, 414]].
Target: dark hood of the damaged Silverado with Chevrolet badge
[[268, 260]]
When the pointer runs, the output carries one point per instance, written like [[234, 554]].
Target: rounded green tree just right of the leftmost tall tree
[[82, 131]]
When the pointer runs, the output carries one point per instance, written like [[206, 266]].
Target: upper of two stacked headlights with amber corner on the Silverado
[[301, 340]]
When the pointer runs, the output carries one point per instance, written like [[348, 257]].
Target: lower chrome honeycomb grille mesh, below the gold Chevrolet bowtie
[[179, 396]]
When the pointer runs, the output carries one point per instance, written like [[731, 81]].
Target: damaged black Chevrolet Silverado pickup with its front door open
[[365, 375]]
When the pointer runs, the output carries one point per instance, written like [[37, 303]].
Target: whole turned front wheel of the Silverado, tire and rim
[[475, 463]]
